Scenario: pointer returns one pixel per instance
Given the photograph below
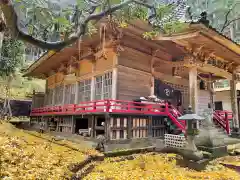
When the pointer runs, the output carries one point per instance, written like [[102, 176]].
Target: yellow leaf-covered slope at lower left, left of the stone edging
[[24, 156]]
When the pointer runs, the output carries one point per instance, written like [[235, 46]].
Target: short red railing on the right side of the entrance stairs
[[222, 119]]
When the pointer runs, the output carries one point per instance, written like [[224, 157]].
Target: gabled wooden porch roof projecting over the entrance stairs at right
[[208, 40]]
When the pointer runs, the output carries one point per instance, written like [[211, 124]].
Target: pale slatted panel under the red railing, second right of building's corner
[[139, 127]]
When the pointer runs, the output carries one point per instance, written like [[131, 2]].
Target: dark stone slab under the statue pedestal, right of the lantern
[[215, 151]]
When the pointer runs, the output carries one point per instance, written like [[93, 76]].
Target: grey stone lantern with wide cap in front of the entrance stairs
[[192, 129]]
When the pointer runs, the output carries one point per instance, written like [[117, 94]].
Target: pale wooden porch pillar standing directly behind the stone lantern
[[193, 89]]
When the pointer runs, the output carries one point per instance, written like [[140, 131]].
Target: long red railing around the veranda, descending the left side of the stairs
[[114, 106]]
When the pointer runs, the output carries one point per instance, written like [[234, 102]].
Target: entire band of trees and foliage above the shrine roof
[[57, 23]]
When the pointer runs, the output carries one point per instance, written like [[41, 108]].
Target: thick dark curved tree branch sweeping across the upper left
[[12, 24]]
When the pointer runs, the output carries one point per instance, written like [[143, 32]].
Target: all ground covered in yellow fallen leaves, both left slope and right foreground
[[26, 157]]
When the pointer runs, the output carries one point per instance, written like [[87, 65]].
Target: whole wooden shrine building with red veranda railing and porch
[[97, 86]]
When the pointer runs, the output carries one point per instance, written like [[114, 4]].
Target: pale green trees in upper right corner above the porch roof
[[224, 15]]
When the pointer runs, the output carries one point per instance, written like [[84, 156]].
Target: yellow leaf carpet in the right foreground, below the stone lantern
[[159, 167]]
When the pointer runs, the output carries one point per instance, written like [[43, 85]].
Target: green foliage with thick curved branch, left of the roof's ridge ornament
[[58, 23]]
